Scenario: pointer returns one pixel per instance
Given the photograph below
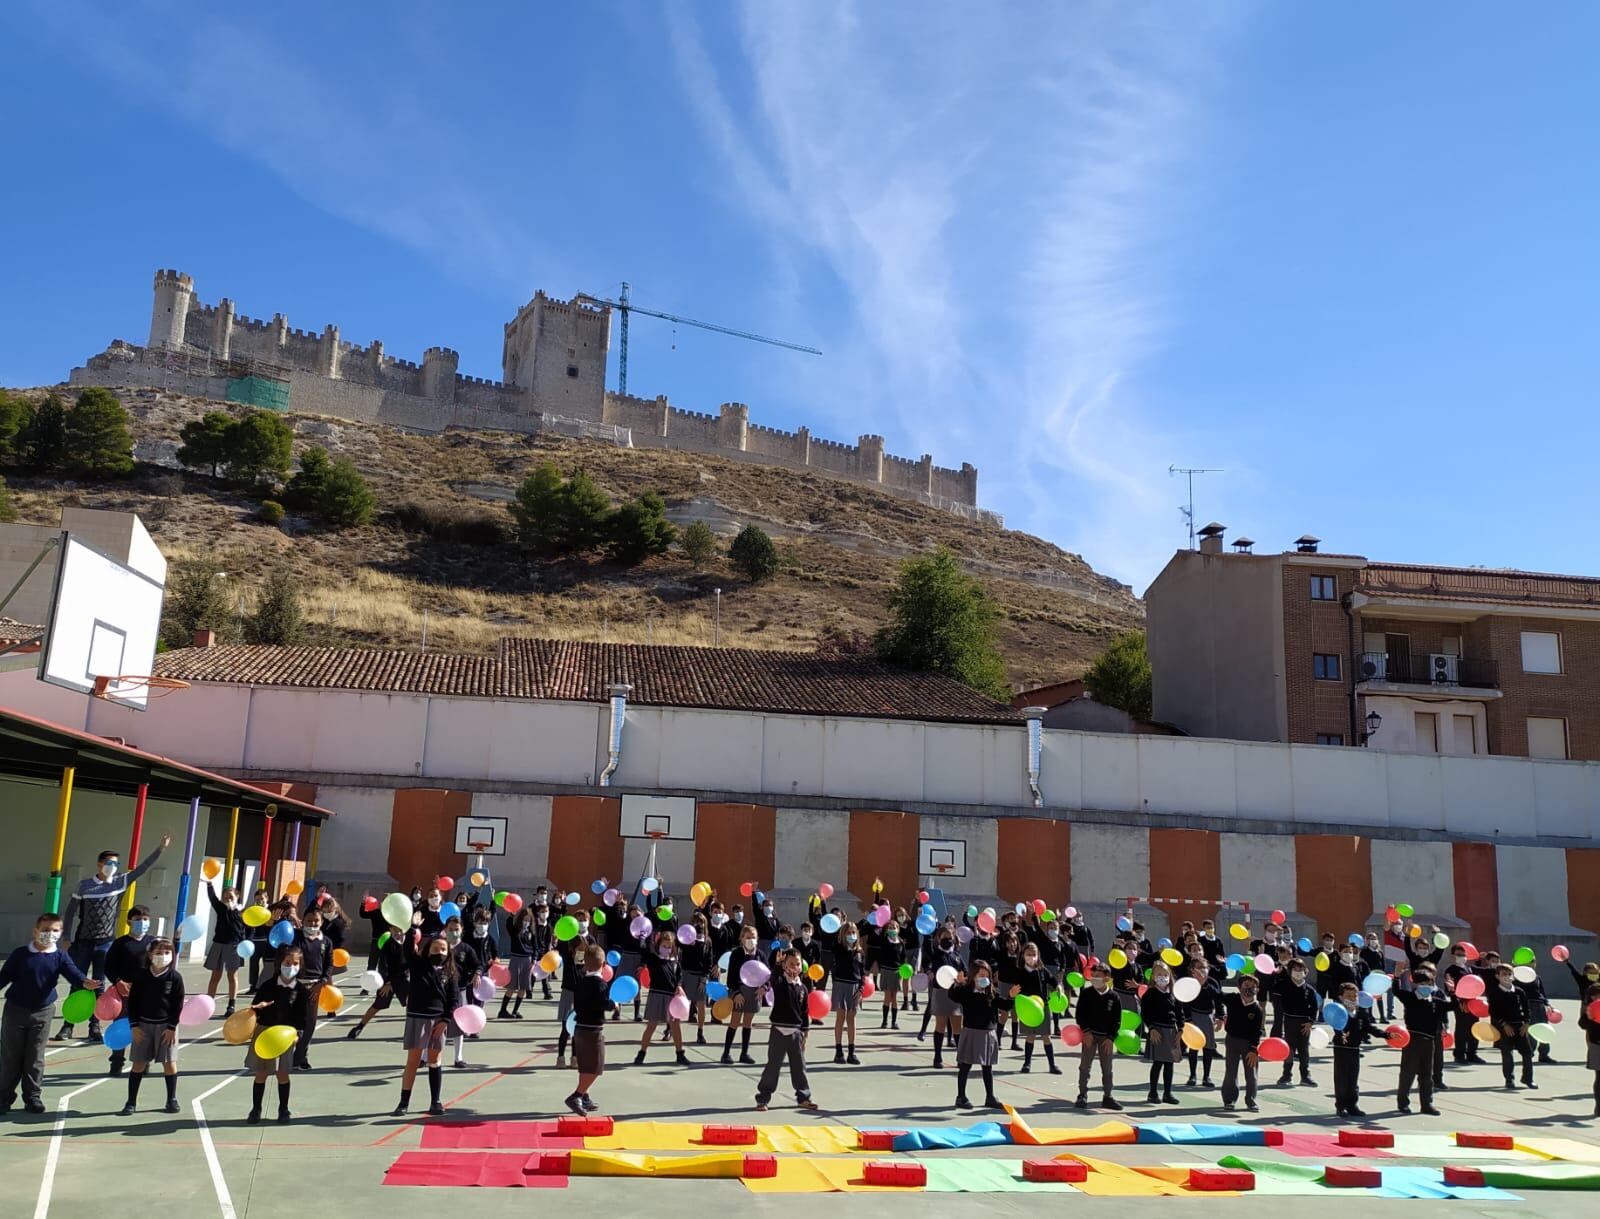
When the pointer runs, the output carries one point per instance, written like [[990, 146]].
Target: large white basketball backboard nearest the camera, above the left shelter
[[105, 620]]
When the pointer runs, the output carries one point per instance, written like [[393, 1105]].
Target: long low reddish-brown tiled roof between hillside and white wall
[[734, 679]]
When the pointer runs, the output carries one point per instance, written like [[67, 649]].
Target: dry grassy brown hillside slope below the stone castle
[[441, 559]]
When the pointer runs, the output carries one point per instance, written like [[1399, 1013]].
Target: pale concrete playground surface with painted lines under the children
[[343, 1141]]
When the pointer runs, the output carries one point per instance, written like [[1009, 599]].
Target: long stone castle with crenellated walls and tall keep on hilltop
[[554, 367]]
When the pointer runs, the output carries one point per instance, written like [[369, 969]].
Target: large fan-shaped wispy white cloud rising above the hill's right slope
[[994, 196]]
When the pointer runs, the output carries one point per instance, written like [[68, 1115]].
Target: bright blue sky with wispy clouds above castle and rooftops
[[1346, 252]]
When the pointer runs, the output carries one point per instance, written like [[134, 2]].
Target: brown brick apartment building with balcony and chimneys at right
[[1342, 650]]
